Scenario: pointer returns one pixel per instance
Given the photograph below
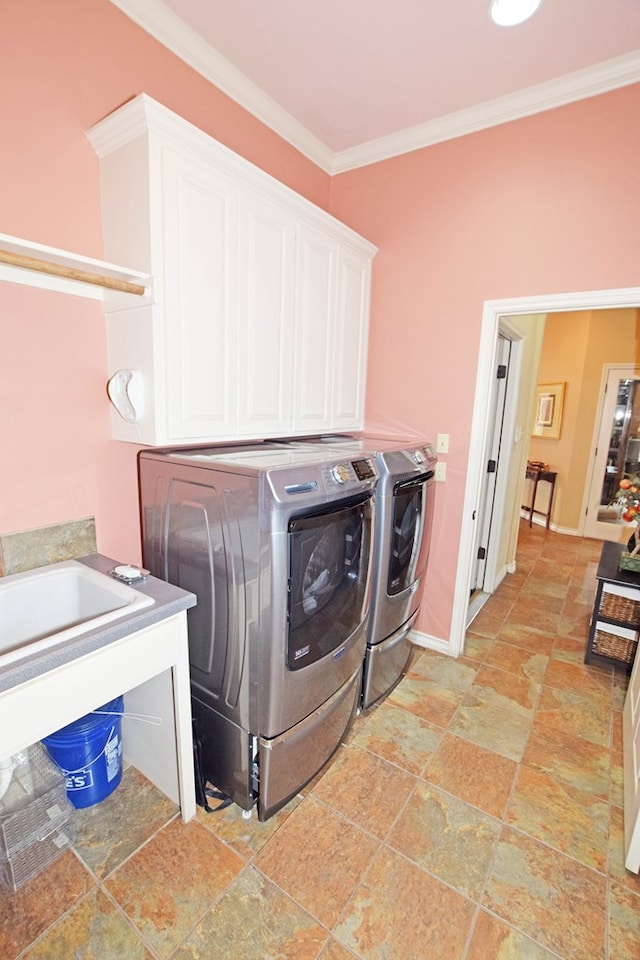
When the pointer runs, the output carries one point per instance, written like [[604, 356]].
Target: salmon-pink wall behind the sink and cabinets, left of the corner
[[64, 66]]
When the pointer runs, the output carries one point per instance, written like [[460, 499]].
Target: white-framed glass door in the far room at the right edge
[[615, 453]]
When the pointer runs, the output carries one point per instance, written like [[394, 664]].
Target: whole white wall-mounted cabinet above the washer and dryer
[[258, 323]]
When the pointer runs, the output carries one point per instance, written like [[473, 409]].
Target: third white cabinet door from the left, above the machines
[[314, 330]]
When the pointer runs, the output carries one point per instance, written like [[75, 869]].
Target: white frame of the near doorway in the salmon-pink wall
[[493, 311]]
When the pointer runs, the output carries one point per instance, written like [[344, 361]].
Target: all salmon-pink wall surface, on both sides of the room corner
[[546, 204]]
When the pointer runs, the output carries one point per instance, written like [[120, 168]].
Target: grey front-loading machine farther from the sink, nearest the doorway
[[404, 517]]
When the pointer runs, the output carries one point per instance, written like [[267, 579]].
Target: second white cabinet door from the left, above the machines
[[265, 317]]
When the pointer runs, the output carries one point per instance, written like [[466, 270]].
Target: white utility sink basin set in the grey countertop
[[47, 605]]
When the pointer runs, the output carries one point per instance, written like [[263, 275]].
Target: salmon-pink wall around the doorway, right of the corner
[[543, 205]]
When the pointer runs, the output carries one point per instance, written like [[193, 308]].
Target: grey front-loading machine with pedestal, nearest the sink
[[276, 543]]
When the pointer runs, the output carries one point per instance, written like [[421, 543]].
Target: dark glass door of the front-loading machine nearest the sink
[[329, 554]]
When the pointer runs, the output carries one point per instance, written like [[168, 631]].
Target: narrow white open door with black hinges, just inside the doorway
[[487, 493]]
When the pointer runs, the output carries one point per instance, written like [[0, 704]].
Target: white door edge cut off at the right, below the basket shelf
[[631, 741]]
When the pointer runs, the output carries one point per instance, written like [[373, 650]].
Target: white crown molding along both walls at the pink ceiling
[[172, 32]]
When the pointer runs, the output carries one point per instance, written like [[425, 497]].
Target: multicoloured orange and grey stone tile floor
[[475, 814]]
